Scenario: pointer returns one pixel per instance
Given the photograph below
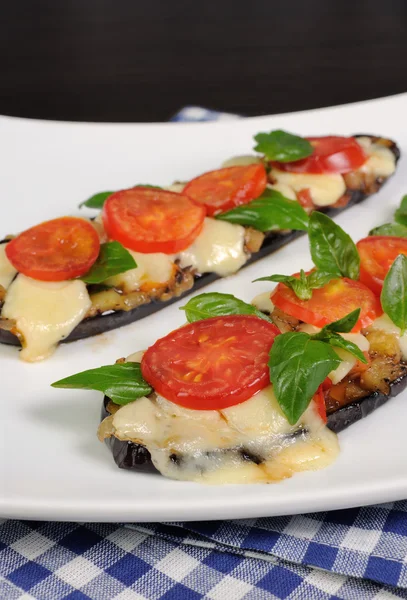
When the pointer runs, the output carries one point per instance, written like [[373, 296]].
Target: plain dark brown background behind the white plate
[[141, 60]]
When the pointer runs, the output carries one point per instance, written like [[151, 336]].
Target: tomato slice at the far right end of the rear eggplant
[[332, 154]]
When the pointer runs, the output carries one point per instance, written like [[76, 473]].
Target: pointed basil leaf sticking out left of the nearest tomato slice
[[122, 382]]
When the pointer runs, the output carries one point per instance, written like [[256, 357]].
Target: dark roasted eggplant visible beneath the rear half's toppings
[[358, 188]]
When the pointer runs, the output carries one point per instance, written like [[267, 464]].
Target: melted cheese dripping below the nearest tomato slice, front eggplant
[[217, 446]]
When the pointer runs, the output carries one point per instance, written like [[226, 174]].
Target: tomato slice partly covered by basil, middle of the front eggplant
[[335, 300]]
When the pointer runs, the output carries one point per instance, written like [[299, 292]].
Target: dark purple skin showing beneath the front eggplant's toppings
[[135, 457]]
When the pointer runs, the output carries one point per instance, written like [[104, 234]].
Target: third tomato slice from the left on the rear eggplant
[[224, 189]]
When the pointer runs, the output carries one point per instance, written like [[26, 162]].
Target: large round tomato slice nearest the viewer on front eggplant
[[211, 364]]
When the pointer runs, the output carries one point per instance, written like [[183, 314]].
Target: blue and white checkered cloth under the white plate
[[342, 555]]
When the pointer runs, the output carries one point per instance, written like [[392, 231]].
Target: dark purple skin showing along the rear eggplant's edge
[[272, 242]]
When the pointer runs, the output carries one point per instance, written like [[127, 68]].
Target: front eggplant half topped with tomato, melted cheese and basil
[[336, 351]]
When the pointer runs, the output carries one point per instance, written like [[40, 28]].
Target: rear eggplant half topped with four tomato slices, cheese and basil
[[157, 246]]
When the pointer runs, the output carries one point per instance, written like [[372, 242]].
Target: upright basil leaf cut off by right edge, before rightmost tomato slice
[[394, 292]]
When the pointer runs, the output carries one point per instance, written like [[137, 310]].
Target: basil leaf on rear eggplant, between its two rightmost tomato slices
[[268, 212]]
